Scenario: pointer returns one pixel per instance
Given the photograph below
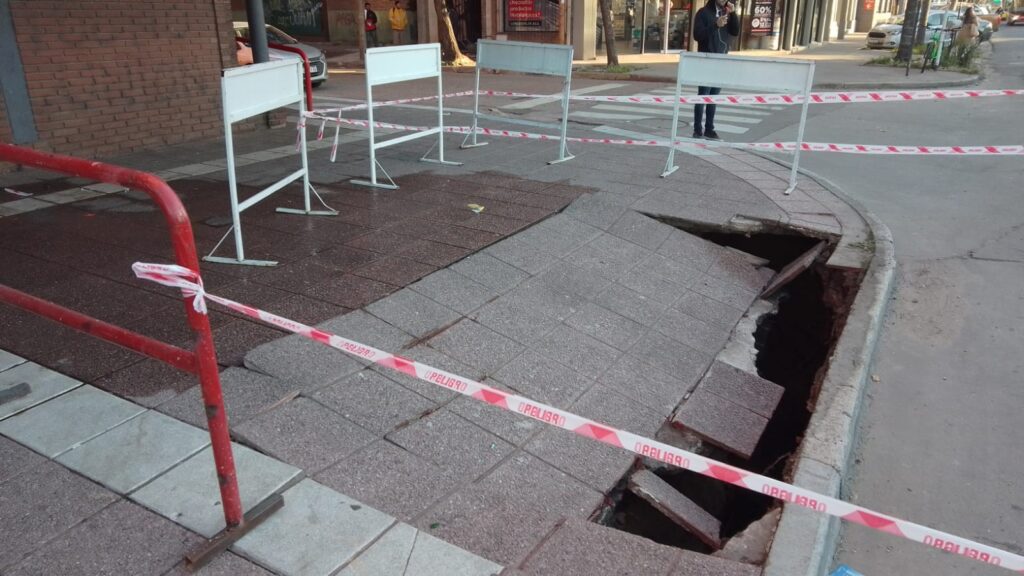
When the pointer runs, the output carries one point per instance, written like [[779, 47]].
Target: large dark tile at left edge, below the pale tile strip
[[35, 508]]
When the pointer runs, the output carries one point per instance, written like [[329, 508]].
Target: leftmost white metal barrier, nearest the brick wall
[[247, 92]]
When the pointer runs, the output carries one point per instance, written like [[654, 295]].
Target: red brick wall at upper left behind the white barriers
[[107, 77]]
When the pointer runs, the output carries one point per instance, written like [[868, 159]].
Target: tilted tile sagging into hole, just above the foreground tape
[[722, 423]]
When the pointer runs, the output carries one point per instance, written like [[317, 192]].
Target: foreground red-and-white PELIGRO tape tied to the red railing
[[190, 282]]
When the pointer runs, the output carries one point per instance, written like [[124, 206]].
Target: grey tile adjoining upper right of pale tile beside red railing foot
[[391, 479]]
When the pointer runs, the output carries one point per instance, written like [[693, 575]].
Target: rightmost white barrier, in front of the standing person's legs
[[772, 75]]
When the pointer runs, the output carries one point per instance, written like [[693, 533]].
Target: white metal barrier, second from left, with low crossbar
[[403, 64]]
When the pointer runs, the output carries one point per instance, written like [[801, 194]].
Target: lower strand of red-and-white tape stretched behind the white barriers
[[1013, 150]]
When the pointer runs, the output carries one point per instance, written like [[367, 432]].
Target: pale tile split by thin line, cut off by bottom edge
[[404, 550]]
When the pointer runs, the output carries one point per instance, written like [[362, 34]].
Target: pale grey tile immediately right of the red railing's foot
[[317, 532]]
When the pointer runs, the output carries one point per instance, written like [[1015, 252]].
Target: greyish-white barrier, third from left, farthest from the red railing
[[528, 58]]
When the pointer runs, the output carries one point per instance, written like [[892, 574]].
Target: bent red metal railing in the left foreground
[[202, 361]]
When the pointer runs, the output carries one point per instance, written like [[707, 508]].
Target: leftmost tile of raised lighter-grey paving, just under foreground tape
[[305, 362]]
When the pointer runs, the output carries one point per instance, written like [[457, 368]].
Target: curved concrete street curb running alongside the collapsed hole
[[806, 542]]
